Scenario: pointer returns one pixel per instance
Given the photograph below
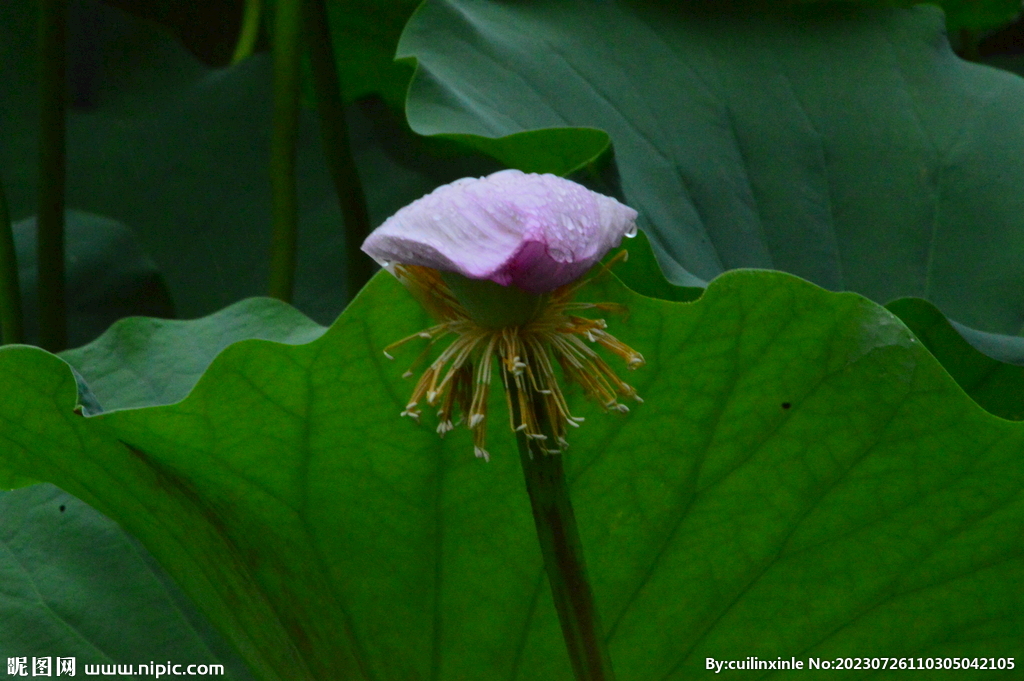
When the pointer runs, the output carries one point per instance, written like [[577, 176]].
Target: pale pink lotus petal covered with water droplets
[[535, 232]]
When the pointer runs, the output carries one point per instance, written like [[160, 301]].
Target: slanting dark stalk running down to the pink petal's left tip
[[337, 150]]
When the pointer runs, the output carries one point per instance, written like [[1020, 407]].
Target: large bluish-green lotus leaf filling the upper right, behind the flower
[[846, 145]]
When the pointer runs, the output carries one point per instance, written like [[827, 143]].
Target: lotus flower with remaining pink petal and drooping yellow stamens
[[496, 261]]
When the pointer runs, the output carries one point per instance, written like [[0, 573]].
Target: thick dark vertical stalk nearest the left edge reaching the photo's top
[[53, 84]]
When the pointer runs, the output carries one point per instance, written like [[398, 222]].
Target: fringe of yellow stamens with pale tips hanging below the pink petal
[[462, 373]]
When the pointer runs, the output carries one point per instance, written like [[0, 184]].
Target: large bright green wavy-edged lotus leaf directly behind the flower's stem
[[803, 480]]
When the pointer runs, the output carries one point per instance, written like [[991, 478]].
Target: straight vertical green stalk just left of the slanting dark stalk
[[284, 196]]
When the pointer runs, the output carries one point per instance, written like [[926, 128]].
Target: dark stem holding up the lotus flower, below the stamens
[[564, 558]]
